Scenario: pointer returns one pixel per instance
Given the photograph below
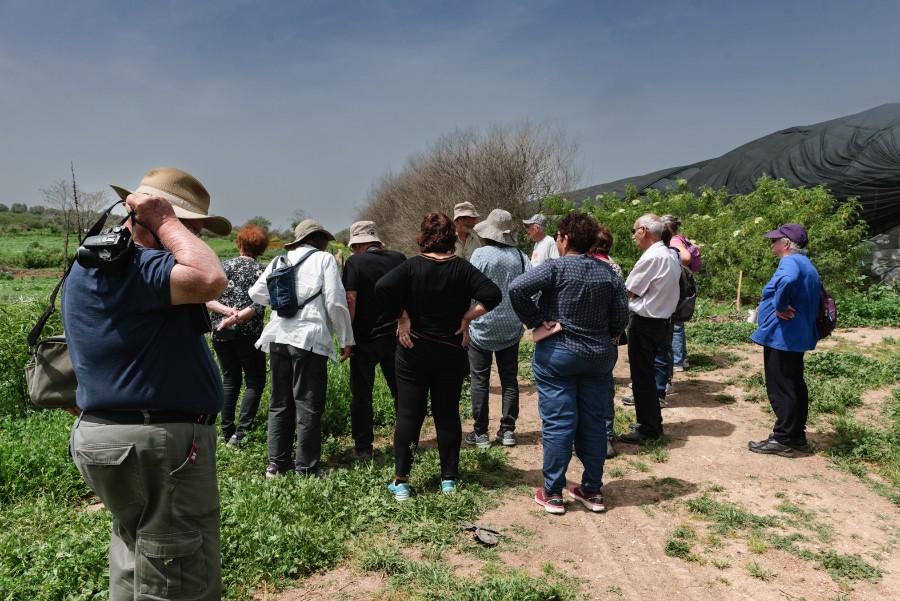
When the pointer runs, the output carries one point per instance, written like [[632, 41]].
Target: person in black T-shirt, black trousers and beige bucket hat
[[374, 331]]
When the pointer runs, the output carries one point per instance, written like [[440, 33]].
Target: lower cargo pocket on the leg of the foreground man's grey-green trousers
[[169, 565]]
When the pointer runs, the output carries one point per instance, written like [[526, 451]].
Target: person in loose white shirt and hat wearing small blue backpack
[[299, 348]]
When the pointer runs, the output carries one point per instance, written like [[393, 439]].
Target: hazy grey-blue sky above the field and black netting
[[278, 105]]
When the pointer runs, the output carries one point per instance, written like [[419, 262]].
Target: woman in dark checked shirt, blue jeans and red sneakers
[[573, 368]]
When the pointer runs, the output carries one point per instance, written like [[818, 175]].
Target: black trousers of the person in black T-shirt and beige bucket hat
[[368, 354]]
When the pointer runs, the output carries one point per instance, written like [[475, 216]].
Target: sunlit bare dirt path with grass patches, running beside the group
[[620, 553]]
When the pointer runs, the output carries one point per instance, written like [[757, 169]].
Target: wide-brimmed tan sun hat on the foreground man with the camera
[[185, 193]]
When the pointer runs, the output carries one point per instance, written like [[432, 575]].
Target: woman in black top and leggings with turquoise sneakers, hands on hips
[[432, 295]]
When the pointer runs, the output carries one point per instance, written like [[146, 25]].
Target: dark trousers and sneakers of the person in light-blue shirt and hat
[[508, 369]]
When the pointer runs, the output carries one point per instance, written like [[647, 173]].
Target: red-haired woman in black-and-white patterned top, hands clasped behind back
[[237, 324]]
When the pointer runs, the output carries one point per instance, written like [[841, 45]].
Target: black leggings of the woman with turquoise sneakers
[[438, 370]]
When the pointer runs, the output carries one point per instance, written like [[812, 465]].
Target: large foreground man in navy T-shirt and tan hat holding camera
[[149, 392]]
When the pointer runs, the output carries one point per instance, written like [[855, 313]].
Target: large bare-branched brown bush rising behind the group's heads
[[508, 167]]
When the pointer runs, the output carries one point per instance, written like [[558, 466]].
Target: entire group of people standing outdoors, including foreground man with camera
[[149, 391]]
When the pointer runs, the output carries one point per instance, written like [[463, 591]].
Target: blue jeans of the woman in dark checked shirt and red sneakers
[[573, 396]]
